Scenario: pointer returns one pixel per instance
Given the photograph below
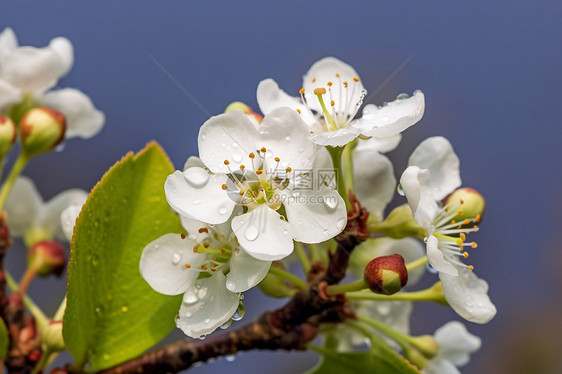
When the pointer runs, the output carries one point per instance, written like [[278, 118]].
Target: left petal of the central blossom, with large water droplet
[[197, 194]]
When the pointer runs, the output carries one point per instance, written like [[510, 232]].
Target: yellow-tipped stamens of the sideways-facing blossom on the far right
[[452, 235]]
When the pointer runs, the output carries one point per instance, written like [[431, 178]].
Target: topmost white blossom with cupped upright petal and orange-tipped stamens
[[331, 96]]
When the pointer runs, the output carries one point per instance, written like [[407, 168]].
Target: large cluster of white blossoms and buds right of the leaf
[[248, 200]]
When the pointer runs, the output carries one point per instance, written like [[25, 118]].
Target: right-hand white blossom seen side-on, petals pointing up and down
[[433, 174]]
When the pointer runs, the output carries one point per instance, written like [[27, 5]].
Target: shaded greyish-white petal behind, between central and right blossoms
[[375, 183]]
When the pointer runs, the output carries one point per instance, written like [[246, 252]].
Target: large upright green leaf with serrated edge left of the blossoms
[[112, 314]]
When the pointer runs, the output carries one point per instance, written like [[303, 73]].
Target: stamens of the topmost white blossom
[[344, 104]]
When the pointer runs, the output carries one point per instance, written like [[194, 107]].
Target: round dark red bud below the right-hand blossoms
[[386, 274]]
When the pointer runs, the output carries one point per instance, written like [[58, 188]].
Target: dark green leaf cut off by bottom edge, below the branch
[[377, 361]]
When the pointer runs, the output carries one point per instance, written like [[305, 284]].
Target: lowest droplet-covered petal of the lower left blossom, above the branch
[[206, 308]]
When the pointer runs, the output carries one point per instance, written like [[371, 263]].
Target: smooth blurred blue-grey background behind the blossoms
[[491, 73]]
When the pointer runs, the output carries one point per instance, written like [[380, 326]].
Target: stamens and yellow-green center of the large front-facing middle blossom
[[260, 185]]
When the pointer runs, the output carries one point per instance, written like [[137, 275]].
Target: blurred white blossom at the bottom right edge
[[455, 346]]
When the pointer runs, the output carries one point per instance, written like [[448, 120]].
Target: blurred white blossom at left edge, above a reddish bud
[[32, 218]]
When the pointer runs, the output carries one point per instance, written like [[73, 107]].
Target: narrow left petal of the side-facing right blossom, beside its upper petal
[[415, 183]]
